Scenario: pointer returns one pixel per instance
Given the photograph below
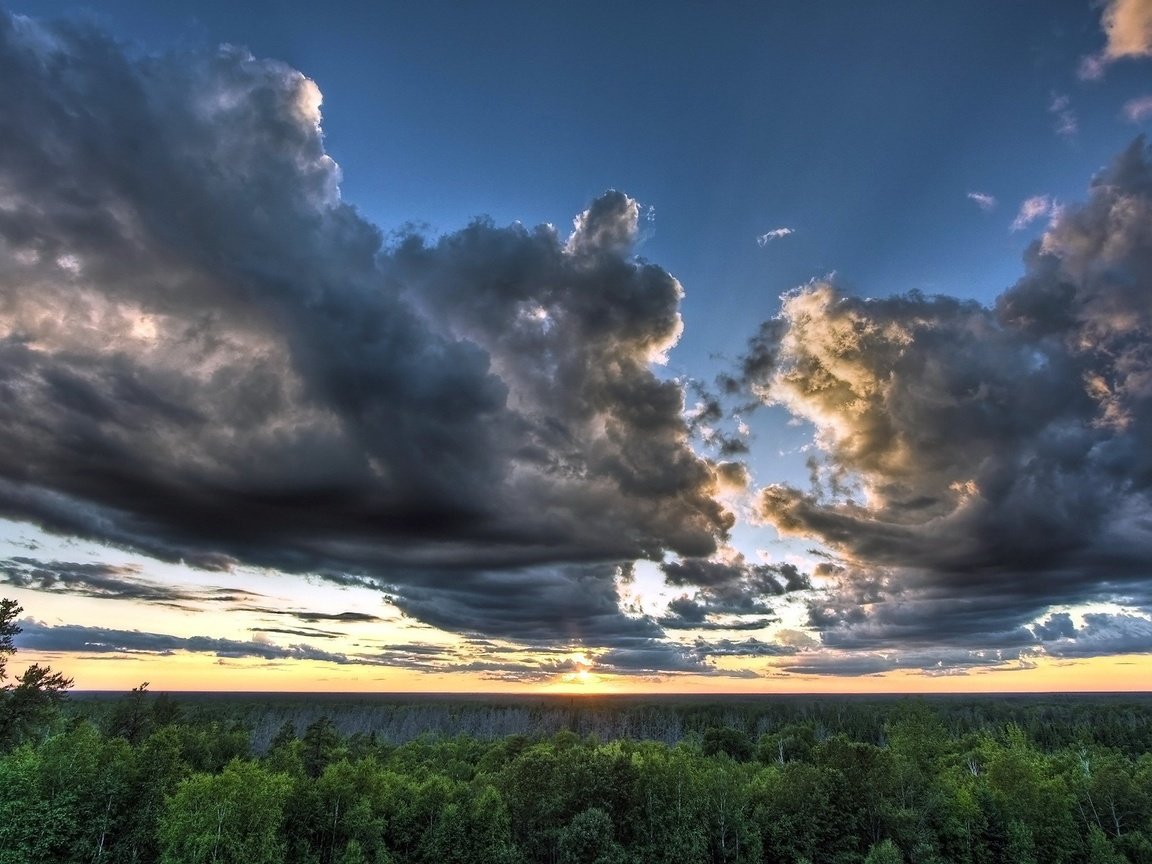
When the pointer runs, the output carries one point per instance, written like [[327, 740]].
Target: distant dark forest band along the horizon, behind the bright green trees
[[1120, 721]]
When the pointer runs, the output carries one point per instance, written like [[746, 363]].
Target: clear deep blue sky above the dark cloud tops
[[860, 126]]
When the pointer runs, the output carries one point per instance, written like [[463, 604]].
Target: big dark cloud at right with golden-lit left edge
[[984, 464]]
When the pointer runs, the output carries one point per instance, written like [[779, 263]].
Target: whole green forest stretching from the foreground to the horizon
[[155, 778]]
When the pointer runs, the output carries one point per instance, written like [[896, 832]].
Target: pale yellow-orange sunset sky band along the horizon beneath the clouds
[[429, 668]]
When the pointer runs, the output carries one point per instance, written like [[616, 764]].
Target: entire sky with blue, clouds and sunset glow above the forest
[[463, 347]]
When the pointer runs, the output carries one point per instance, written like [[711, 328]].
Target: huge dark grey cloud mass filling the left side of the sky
[[208, 357]]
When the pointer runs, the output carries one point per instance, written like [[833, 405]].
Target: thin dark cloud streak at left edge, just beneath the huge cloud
[[120, 582]]
